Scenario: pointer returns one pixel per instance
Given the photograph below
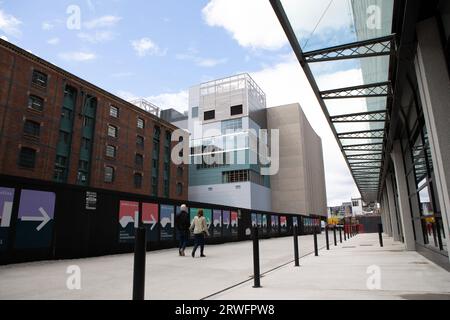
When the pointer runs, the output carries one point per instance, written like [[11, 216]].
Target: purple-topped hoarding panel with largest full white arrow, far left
[[35, 219]]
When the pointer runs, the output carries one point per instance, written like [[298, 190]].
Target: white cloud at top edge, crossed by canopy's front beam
[[253, 23]]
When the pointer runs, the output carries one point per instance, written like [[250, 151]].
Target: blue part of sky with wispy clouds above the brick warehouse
[[189, 51]]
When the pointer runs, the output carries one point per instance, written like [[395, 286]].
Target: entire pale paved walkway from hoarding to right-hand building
[[336, 274]]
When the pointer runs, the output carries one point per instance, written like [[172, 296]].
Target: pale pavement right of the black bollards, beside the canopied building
[[344, 271]]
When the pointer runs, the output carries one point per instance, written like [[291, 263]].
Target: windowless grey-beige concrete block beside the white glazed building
[[299, 185]]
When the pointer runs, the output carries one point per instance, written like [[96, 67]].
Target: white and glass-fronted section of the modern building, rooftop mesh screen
[[225, 116]]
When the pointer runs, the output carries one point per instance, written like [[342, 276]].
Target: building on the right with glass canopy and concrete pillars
[[400, 156]]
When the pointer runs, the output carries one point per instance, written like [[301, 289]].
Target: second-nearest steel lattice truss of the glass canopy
[[380, 89]]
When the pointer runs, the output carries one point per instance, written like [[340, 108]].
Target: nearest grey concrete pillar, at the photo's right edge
[[434, 88]]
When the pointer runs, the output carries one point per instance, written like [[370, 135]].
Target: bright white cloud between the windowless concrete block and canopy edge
[[286, 83]]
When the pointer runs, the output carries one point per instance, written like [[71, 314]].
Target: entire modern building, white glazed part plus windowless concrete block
[[225, 117]]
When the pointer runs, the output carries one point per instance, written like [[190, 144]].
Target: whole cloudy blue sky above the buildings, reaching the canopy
[[157, 49]]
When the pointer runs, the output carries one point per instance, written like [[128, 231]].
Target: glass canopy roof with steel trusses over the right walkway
[[345, 49]]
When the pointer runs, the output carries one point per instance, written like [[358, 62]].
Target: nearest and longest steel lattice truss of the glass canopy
[[363, 49]]
